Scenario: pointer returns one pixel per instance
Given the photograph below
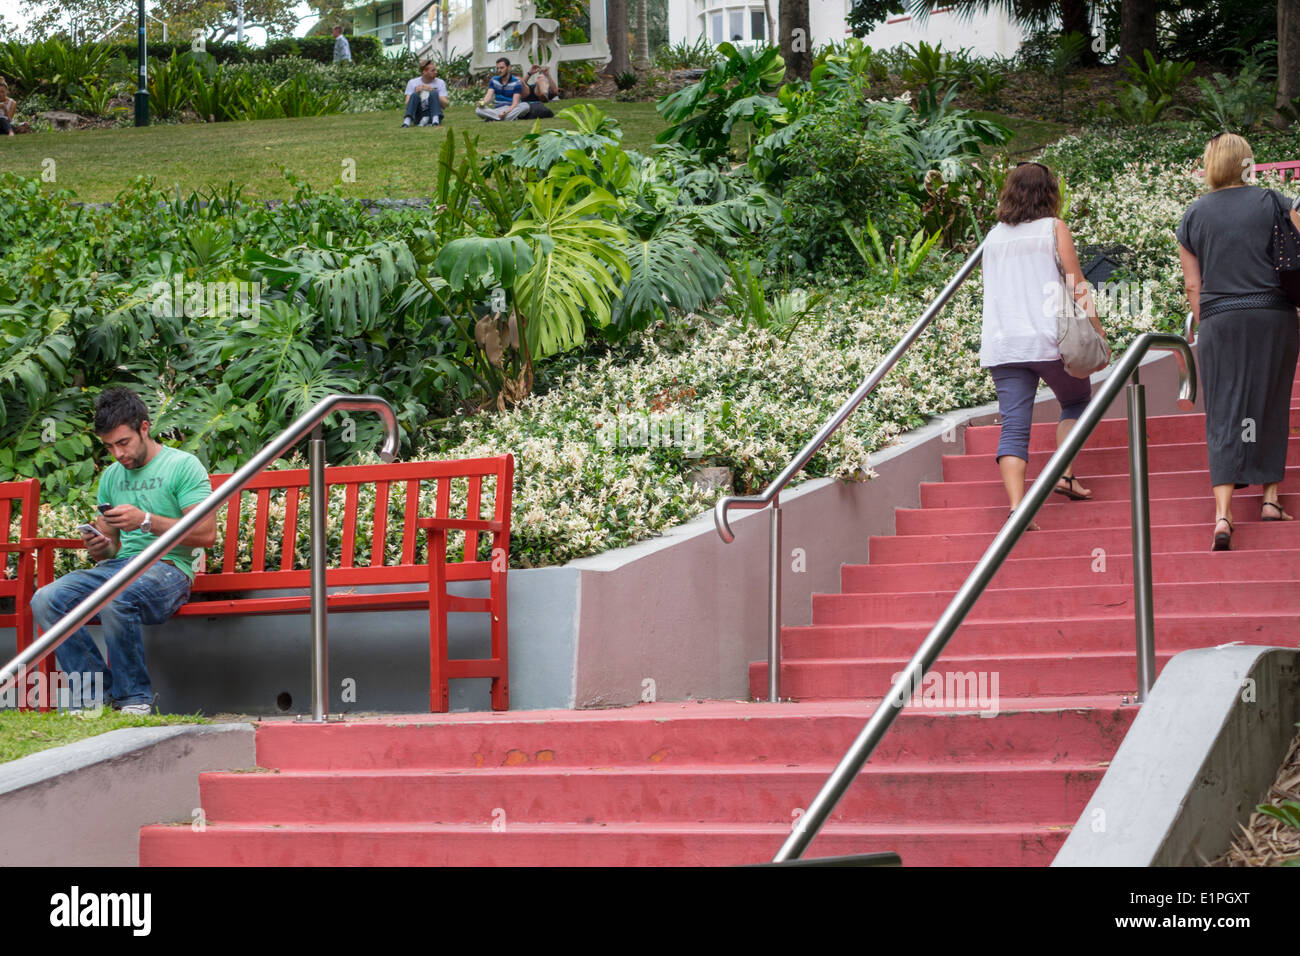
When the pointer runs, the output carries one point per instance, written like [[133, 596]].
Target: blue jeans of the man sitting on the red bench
[[151, 599]]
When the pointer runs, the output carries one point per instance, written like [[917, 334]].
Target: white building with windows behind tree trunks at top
[[987, 34]]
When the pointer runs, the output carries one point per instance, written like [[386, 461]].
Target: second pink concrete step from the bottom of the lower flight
[[895, 794]]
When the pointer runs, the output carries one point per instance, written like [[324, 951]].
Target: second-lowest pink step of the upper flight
[[998, 638]]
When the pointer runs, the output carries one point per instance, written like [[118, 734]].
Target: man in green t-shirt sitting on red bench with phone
[[141, 496]]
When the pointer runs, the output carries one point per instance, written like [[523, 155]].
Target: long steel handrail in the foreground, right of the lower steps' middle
[[937, 641]]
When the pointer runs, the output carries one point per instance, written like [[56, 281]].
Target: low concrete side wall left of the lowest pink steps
[[84, 804]]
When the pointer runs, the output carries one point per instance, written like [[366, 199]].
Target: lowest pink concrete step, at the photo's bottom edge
[[584, 845]]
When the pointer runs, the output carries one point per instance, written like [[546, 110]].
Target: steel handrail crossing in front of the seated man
[[115, 586]]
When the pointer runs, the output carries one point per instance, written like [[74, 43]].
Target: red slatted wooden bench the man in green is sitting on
[[250, 565]]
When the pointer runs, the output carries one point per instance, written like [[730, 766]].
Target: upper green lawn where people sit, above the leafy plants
[[388, 161]]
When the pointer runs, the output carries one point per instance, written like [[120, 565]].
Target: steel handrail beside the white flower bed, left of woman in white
[[772, 495]]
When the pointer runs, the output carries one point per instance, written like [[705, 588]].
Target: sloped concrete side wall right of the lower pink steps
[[1202, 754]]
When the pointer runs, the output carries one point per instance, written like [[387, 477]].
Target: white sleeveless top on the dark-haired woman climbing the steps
[[1022, 288]]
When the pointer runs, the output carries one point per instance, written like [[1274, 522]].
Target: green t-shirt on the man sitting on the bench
[[172, 481]]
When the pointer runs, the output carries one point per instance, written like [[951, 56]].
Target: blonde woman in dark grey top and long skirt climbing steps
[[1249, 332]]
